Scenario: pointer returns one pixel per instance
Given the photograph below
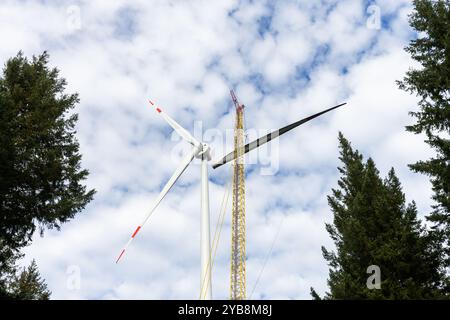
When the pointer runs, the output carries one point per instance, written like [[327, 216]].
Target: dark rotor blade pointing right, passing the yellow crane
[[264, 139]]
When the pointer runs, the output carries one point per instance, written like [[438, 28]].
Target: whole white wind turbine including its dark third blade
[[202, 151]]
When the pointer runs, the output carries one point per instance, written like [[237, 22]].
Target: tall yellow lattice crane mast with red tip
[[238, 282]]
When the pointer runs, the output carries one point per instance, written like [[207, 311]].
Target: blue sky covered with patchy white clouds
[[285, 60]]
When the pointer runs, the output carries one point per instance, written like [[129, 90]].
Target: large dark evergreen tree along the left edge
[[40, 173]]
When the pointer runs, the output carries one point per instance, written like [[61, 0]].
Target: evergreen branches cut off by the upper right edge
[[431, 83]]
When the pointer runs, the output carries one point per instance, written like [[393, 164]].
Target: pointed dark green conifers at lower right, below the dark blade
[[373, 226]]
